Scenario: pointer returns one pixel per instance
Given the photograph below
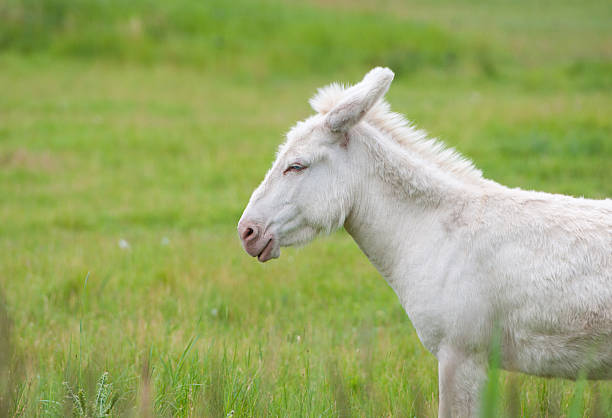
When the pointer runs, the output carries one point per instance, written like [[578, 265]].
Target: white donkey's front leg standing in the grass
[[461, 379]]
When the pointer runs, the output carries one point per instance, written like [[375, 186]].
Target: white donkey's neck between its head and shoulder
[[401, 206]]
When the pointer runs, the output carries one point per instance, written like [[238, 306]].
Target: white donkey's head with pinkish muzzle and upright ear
[[309, 188]]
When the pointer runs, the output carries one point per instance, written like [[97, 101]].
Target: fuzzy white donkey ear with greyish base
[[359, 99]]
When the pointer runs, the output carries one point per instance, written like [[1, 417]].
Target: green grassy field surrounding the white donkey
[[132, 134]]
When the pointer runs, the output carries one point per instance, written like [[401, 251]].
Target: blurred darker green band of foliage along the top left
[[252, 36]]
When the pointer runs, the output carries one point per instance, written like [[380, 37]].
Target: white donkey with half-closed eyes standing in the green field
[[468, 258]]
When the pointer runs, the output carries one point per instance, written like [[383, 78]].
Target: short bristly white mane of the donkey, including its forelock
[[403, 133]]
